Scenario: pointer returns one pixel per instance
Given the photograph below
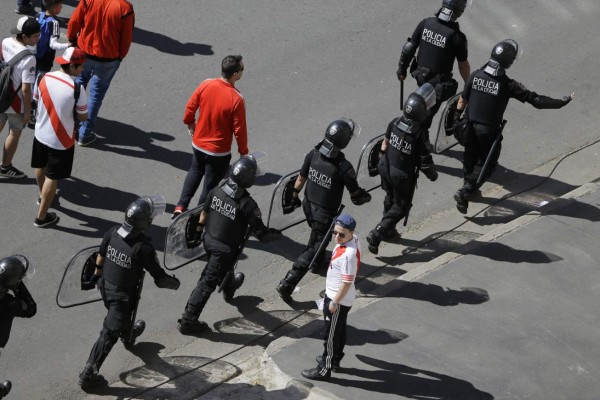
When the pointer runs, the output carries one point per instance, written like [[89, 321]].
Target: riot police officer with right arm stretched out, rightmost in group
[[487, 91]]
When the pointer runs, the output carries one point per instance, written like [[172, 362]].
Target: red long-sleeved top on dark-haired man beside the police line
[[222, 116]]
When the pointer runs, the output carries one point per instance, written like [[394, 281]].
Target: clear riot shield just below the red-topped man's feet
[[178, 251]]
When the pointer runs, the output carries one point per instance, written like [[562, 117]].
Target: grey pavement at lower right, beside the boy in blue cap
[[516, 317]]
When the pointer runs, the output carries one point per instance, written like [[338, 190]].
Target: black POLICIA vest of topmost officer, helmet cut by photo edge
[[436, 47]]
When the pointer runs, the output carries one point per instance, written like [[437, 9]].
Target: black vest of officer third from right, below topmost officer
[[403, 148]]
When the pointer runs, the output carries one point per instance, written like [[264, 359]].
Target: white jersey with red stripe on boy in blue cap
[[345, 261]]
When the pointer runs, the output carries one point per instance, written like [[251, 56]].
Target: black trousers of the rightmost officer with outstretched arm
[[479, 139]]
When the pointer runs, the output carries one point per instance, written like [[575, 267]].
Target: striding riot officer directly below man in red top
[[228, 213]]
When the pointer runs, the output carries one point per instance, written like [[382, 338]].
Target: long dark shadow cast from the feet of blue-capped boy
[[408, 382]]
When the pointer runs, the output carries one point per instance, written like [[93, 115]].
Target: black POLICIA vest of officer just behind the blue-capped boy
[[325, 185]]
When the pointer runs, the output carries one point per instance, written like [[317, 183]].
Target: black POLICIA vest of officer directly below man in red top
[[225, 221]]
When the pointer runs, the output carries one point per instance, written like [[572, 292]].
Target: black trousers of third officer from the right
[[398, 187]]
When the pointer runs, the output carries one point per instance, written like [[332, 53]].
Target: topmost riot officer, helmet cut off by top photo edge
[[440, 41]]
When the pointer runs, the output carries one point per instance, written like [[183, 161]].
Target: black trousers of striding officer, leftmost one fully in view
[[116, 323]]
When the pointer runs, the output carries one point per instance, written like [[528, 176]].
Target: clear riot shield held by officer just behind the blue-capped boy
[[282, 195]]
